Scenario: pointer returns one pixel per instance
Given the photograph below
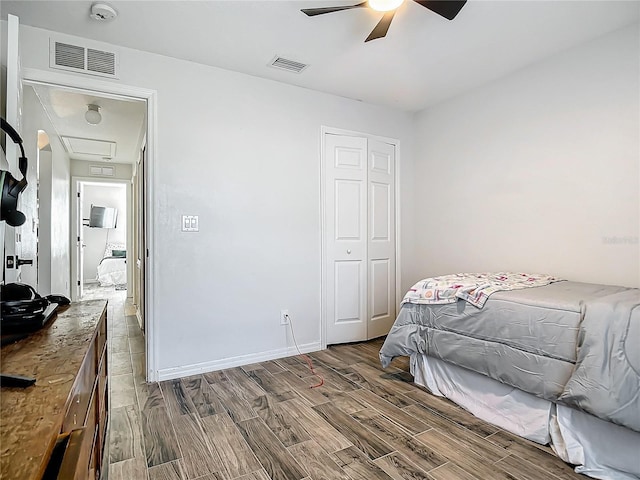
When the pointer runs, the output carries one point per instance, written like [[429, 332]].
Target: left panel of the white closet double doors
[[346, 238]]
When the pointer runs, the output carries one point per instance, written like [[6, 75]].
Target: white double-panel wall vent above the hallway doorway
[[76, 58]]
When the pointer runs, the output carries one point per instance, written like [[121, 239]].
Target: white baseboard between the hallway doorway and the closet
[[195, 369]]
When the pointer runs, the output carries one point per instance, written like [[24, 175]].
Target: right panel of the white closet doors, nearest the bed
[[381, 247]]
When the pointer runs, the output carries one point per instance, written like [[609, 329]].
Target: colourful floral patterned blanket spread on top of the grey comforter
[[474, 288]]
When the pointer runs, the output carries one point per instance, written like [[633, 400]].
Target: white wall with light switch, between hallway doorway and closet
[[243, 154]]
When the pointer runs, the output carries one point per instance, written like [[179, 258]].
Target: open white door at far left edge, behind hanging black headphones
[[12, 235]]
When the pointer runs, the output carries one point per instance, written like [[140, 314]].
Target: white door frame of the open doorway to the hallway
[[118, 90]]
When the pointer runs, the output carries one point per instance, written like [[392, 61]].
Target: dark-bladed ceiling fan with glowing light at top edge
[[445, 8]]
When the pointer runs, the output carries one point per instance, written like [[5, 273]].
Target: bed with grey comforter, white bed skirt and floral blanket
[[554, 361]]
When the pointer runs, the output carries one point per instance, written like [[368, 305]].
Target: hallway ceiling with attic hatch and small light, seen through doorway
[[123, 123]]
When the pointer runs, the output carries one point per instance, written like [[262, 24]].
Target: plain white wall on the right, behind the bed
[[538, 171]]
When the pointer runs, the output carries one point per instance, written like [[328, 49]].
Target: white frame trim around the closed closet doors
[[324, 131]]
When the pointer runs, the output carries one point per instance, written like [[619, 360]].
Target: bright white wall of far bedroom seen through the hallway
[[95, 239]]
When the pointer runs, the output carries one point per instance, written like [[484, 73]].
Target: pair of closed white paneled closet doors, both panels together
[[359, 236]]
